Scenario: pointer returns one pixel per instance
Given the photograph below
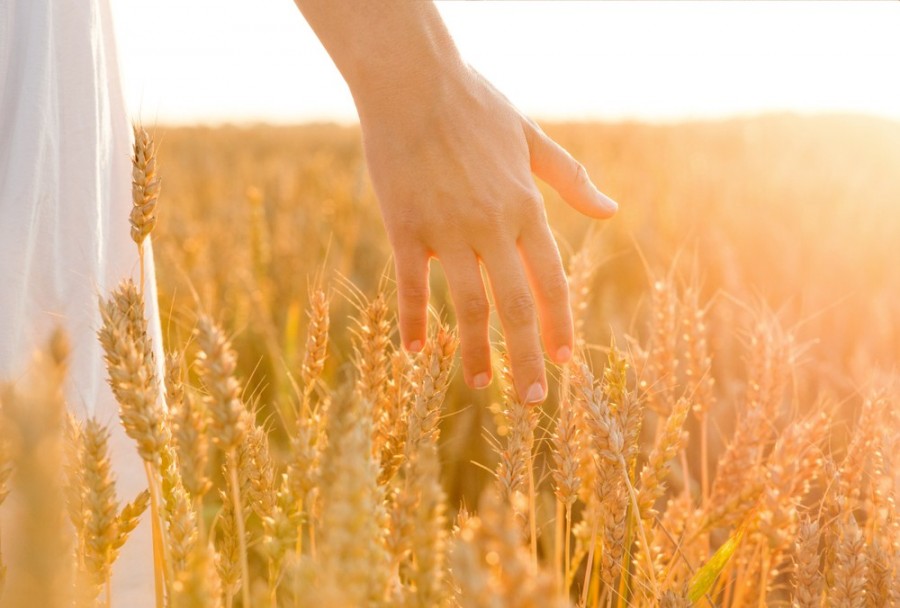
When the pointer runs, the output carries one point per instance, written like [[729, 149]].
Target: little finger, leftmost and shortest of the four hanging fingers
[[411, 265]]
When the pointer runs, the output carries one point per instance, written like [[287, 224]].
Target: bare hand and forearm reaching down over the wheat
[[451, 162]]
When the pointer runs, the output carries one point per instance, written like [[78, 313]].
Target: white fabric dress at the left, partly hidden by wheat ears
[[65, 197]]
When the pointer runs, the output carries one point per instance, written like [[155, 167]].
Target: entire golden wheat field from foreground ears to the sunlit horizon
[[727, 434]]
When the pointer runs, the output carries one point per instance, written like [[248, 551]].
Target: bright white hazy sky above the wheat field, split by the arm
[[212, 61]]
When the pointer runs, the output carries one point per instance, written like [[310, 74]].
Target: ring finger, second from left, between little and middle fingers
[[472, 314]]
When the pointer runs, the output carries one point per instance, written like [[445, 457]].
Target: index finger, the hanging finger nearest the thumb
[[551, 289]]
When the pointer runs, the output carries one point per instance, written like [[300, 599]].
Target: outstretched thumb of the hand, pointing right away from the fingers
[[553, 164]]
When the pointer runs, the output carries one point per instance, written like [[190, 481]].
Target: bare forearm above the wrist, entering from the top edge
[[383, 48]]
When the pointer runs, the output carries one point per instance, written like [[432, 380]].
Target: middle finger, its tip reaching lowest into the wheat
[[517, 310]]
